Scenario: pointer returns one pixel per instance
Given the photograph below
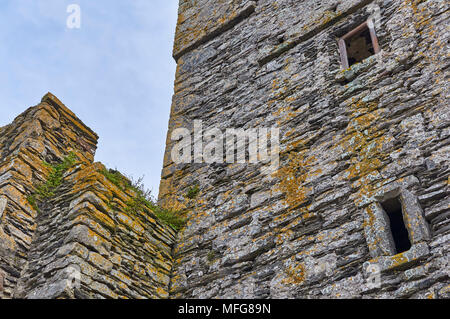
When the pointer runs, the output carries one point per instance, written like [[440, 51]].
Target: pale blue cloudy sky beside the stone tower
[[116, 72]]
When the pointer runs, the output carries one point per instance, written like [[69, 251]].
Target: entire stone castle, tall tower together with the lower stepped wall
[[352, 203]]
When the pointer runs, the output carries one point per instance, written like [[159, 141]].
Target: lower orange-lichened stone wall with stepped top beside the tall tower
[[82, 242]]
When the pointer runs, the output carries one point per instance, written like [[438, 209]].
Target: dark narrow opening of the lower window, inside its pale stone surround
[[393, 209]]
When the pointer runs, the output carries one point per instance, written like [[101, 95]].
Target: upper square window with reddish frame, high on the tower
[[358, 44]]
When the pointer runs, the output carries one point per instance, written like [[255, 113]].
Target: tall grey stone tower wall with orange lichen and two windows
[[350, 139]]
